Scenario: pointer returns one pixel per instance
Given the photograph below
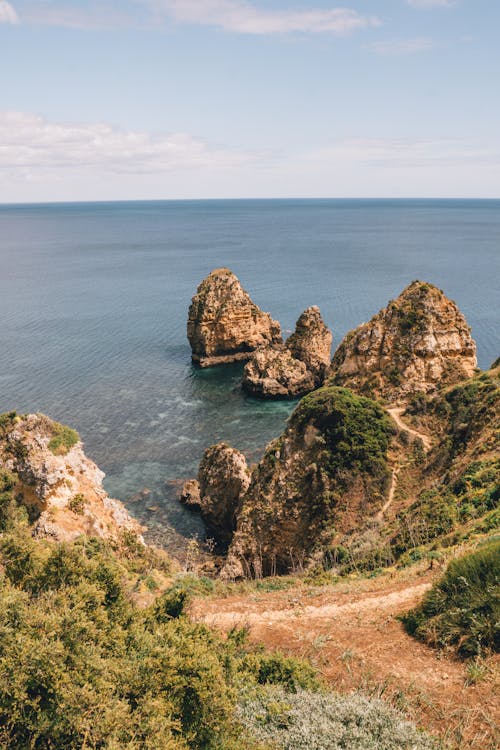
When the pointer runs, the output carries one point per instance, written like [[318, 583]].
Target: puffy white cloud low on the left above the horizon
[[32, 145]]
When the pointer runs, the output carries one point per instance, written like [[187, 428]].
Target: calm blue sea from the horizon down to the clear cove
[[94, 300]]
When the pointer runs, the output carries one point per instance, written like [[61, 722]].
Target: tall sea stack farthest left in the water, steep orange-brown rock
[[224, 325]]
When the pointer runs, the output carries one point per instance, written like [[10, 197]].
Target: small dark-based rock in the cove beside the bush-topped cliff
[[223, 479]]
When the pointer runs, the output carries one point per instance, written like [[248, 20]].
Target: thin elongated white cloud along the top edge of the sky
[[245, 18]]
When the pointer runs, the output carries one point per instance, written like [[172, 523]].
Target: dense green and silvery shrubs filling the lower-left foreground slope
[[85, 664]]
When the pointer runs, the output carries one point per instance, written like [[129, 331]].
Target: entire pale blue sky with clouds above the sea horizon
[[181, 99]]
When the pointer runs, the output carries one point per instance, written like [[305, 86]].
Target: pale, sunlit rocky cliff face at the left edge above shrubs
[[59, 485]]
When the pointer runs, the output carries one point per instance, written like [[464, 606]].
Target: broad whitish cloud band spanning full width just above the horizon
[[42, 160]]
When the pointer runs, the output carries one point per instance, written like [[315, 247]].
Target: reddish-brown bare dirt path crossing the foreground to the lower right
[[352, 635]]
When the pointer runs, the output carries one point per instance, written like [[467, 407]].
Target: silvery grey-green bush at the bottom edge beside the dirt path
[[315, 721]]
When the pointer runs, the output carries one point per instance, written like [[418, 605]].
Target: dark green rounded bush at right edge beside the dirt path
[[463, 608]]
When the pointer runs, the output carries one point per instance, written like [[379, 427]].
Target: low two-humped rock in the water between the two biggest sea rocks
[[292, 369]]
